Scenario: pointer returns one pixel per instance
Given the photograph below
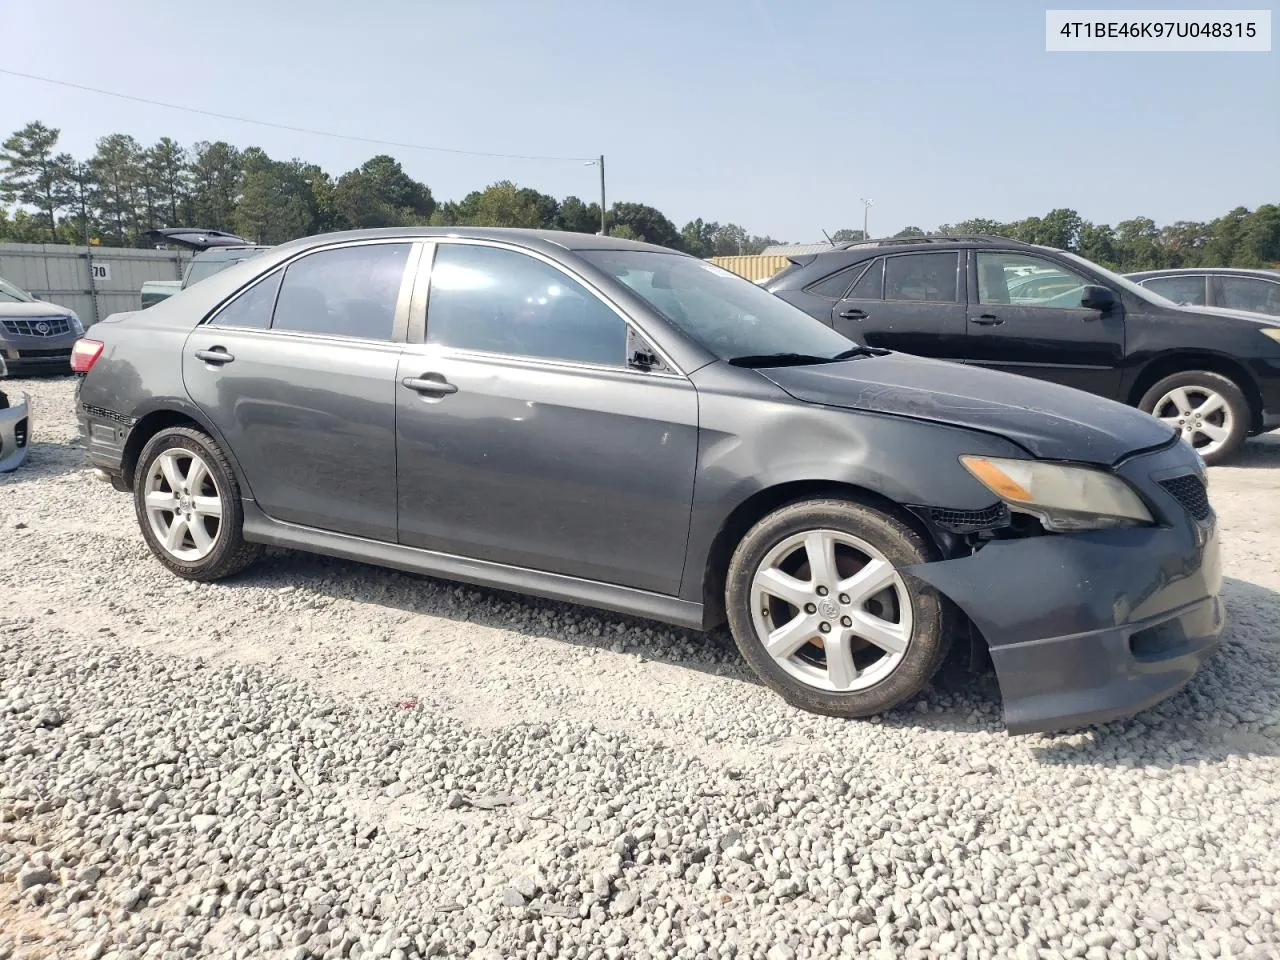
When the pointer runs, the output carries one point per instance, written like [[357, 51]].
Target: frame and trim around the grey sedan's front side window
[[420, 316]]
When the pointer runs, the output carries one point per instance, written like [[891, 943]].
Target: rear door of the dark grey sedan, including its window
[[299, 376]]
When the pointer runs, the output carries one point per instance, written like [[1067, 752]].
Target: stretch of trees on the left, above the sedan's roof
[[126, 189]]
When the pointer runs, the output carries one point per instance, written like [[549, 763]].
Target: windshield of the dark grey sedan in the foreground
[[729, 316]]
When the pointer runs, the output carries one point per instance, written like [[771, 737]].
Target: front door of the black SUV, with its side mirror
[[1026, 318]]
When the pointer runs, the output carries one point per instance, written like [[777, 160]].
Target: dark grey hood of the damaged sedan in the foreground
[[1049, 420]]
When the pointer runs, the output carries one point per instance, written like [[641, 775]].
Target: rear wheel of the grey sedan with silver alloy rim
[[189, 506]]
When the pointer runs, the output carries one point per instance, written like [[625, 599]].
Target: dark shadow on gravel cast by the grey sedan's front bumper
[[1232, 707]]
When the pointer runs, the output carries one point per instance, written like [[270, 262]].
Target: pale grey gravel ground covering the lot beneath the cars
[[326, 760]]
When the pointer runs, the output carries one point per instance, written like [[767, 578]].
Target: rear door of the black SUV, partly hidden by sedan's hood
[[911, 303]]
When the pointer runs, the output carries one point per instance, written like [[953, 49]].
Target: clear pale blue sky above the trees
[[775, 116]]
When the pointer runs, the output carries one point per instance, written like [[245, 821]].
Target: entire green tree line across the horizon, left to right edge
[[126, 189]]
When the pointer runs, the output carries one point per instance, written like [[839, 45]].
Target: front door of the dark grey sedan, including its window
[[528, 440]]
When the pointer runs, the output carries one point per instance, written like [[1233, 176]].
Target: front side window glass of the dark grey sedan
[[500, 301]]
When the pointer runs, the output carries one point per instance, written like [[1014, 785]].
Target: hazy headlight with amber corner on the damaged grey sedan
[[1064, 499]]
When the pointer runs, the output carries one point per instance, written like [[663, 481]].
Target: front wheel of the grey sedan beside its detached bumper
[[820, 610]]
